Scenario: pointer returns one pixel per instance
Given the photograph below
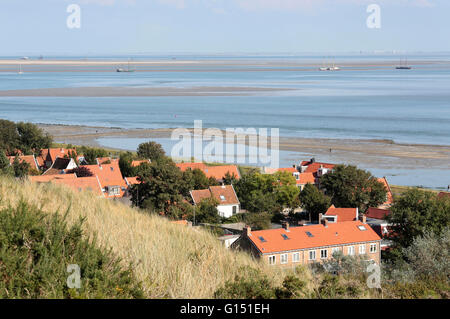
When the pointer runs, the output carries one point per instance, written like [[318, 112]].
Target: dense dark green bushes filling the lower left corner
[[36, 248]]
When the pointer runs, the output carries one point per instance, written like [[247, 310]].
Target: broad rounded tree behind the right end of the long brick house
[[349, 186]]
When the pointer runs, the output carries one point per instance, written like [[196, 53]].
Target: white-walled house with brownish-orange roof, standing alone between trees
[[229, 204]]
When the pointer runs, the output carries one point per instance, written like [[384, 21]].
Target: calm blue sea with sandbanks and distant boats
[[378, 102]]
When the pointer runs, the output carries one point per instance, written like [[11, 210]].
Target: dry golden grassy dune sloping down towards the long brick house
[[172, 261]]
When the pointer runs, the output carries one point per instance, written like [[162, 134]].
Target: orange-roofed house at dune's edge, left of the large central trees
[[110, 177]]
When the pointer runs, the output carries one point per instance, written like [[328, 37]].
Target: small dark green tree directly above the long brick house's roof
[[314, 201]]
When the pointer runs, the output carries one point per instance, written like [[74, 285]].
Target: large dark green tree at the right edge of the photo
[[415, 213]]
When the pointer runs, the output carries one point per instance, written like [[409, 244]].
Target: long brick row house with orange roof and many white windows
[[291, 246]]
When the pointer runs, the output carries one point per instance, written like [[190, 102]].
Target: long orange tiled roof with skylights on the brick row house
[[320, 236]]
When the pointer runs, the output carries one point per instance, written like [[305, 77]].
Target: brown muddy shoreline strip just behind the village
[[382, 154]]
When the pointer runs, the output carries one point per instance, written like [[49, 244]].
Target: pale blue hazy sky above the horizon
[[221, 26]]
